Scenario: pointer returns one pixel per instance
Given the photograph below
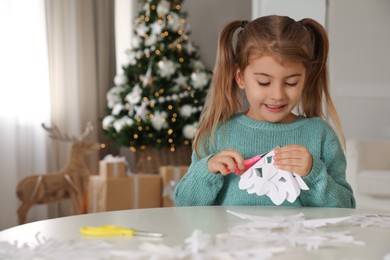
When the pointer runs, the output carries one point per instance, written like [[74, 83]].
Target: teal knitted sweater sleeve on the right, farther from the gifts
[[327, 182]]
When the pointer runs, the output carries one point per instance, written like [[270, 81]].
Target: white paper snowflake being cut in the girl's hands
[[264, 178]]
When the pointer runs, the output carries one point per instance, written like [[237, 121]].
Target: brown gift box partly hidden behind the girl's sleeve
[[170, 177]]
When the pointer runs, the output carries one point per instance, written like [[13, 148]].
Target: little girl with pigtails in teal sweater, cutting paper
[[277, 68]]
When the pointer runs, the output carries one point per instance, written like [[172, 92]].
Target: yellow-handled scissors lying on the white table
[[113, 230]]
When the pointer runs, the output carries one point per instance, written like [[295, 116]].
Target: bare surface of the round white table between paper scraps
[[177, 223]]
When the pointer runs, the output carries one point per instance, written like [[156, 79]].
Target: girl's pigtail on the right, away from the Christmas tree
[[318, 80]]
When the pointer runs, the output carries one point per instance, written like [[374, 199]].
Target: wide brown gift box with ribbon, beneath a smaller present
[[130, 192]]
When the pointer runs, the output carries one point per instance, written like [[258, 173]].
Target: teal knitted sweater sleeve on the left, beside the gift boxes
[[198, 187]]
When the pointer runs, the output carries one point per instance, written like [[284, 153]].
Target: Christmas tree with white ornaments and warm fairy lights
[[158, 99]]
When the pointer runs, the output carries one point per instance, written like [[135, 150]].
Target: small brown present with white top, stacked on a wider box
[[112, 166]]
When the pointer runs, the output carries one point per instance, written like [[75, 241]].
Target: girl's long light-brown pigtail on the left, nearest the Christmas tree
[[223, 99]]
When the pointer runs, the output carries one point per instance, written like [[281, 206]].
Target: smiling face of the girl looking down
[[272, 89]]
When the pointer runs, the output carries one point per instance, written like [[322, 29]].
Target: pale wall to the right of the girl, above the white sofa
[[360, 65]]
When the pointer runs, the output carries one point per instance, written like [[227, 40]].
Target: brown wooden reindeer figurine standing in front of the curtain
[[70, 182]]
